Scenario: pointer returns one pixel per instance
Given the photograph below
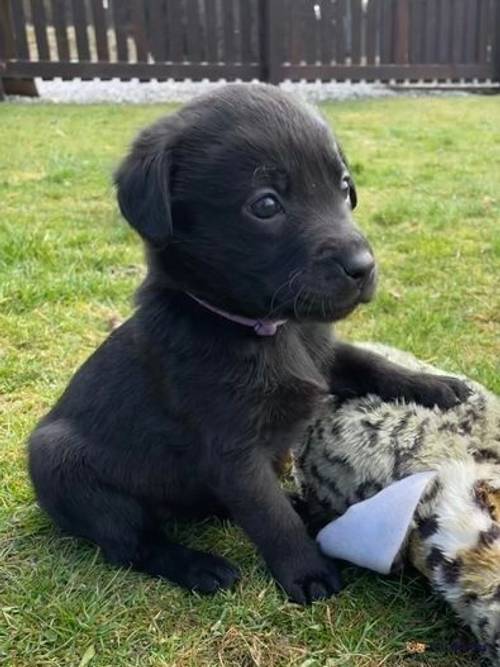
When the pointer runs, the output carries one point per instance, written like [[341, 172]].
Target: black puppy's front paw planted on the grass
[[306, 580]]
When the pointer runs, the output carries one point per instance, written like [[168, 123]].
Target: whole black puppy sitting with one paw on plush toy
[[243, 199]]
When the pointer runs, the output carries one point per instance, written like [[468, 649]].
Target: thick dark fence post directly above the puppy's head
[[270, 47]]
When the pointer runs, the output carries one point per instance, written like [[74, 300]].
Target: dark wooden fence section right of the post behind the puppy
[[398, 40]]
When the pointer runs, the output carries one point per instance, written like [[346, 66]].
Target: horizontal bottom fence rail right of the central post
[[387, 72]]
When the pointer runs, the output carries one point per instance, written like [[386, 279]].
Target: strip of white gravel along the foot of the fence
[[135, 92]]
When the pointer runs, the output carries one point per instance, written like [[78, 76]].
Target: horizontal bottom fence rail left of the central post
[[126, 71]]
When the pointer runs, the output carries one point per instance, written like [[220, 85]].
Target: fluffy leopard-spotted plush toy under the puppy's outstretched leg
[[357, 450]]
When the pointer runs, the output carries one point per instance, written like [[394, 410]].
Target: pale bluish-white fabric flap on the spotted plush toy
[[371, 533]]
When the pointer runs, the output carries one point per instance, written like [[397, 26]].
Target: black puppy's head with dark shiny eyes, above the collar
[[245, 199]]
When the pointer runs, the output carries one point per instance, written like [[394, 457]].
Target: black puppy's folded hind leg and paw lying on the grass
[[126, 531]]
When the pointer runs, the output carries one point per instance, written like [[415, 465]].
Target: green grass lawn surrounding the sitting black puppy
[[428, 173]]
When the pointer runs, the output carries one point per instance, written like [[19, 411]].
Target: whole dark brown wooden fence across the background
[[271, 40]]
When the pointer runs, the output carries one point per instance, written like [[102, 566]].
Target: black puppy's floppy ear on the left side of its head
[[143, 187]]
